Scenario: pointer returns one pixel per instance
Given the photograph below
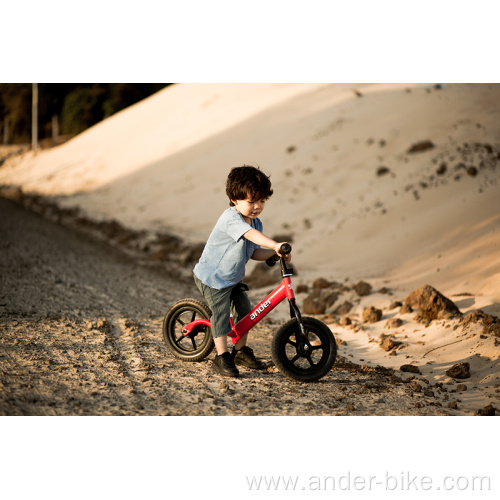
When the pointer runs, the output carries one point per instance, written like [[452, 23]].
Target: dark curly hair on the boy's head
[[248, 181]]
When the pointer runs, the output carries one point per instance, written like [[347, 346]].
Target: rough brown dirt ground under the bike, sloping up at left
[[80, 334]]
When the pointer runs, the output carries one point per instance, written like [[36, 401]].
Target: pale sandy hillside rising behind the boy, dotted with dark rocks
[[393, 184]]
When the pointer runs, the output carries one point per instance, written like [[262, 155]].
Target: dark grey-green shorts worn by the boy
[[223, 302]]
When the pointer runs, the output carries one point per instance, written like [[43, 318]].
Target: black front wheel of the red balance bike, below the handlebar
[[309, 360]]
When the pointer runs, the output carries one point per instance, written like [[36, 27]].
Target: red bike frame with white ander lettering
[[240, 329]]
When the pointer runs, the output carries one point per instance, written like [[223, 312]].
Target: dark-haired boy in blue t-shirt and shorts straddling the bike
[[236, 238]]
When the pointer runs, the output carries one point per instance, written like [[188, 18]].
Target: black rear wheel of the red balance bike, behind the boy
[[199, 343]]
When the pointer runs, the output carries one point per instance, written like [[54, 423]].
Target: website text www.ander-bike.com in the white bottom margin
[[401, 481]]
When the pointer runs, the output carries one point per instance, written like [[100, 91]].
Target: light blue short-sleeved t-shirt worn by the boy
[[226, 253]]
